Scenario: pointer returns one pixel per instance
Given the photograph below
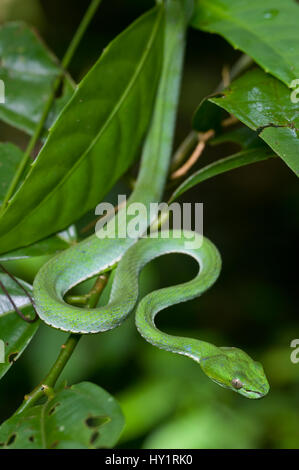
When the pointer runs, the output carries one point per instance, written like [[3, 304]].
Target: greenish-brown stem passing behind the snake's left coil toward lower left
[[46, 386]]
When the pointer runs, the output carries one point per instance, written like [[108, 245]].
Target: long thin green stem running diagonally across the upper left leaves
[[64, 64]]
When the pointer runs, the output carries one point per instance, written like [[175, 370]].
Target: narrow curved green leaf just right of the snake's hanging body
[[221, 166]]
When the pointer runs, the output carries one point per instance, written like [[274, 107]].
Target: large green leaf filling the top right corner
[[266, 30]]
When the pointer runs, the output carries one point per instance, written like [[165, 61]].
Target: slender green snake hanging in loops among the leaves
[[229, 367]]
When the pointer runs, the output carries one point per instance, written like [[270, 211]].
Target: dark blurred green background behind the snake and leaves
[[251, 214]]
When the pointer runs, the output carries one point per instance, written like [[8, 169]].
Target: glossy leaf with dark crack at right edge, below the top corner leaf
[[263, 103]]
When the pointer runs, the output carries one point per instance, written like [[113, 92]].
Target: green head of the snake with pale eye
[[232, 368]]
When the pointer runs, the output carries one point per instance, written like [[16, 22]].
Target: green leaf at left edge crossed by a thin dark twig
[[15, 332]]
